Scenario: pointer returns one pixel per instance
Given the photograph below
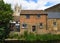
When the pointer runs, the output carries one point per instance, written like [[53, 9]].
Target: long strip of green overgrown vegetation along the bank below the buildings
[[33, 37]]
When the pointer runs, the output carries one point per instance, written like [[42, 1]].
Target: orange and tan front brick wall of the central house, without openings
[[33, 21]]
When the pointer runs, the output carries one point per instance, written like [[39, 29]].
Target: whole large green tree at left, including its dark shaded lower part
[[5, 17]]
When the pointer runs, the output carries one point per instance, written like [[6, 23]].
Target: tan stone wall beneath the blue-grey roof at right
[[53, 28]]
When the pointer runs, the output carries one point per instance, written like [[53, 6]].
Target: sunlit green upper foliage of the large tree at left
[[5, 13]]
